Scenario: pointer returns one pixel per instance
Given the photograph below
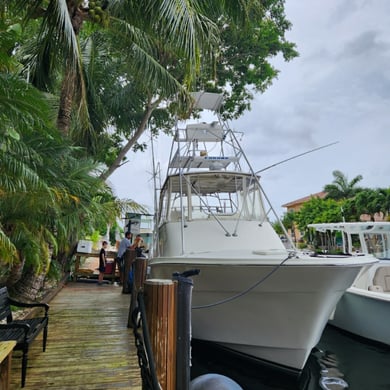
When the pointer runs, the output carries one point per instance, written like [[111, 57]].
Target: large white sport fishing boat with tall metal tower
[[252, 295]]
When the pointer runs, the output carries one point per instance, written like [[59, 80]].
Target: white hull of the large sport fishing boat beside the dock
[[278, 318]]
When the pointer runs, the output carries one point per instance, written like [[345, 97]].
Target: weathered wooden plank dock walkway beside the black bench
[[89, 345]]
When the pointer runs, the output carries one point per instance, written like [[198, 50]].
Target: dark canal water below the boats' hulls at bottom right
[[340, 361]]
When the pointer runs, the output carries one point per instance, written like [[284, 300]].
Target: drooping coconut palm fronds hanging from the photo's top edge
[[57, 46]]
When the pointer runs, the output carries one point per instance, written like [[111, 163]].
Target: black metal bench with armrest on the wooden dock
[[22, 331]]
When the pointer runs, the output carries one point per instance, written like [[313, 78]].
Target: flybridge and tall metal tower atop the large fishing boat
[[206, 179]]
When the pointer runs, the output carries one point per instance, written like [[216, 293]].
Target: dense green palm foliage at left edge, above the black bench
[[49, 194]]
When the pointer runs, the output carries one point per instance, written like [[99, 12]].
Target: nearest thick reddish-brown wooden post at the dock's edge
[[160, 302]]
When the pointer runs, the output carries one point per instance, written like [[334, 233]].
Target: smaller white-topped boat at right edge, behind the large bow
[[365, 307]]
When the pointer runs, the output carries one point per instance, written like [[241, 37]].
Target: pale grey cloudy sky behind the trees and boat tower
[[336, 91]]
